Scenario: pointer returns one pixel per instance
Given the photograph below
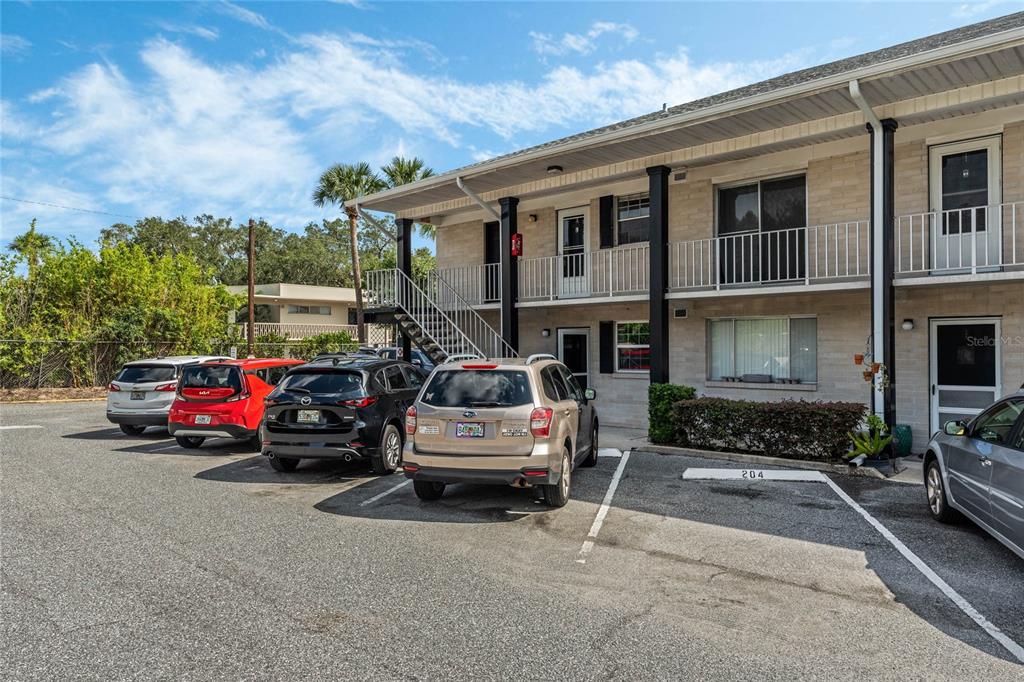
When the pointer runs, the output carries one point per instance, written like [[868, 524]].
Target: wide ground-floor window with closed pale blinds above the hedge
[[758, 349]]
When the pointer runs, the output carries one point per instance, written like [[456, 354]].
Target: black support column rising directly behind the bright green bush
[[659, 192]]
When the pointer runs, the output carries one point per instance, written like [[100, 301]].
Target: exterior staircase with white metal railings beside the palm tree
[[435, 316]]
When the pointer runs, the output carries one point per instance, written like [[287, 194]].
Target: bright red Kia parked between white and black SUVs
[[225, 400]]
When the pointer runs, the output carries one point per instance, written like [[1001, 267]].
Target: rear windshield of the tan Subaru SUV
[[479, 389]]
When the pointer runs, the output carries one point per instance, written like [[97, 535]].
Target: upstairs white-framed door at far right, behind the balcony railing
[[965, 195]]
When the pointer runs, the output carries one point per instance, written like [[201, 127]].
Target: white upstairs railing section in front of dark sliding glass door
[[799, 255]]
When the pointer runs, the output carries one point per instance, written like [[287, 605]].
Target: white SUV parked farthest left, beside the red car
[[143, 393]]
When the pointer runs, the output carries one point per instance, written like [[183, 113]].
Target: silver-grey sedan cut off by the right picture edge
[[976, 468]]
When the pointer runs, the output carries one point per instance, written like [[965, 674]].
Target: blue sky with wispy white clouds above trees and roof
[[181, 109]]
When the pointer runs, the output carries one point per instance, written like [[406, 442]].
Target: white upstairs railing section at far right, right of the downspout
[[969, 240]]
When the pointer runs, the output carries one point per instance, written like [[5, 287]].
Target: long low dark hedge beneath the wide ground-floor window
[[795, 430]]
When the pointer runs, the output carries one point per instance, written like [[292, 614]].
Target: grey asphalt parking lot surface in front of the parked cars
[[132, 558]]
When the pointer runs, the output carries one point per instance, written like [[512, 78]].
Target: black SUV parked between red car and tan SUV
[[346, 408]]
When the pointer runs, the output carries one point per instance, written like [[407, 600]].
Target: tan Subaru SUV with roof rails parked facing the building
[[523, 422]]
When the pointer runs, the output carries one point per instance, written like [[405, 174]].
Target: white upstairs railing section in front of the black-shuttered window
[[607, 273]]
